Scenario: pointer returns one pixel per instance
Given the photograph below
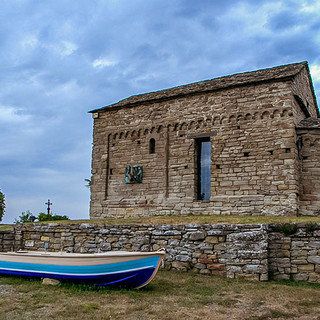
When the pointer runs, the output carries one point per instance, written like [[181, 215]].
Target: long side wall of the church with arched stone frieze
[[253, 155]]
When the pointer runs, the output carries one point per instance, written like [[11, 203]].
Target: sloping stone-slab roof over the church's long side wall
[[280, 72]]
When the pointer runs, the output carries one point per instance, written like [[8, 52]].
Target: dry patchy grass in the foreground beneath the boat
[[171, 295]]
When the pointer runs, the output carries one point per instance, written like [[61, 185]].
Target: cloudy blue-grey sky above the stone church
[[60, 59]]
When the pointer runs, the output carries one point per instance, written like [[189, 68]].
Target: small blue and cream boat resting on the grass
[[114, 268]]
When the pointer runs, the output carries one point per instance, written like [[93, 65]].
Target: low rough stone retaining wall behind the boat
[[234, 251]]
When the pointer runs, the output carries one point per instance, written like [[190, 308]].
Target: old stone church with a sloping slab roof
[[246, 144]]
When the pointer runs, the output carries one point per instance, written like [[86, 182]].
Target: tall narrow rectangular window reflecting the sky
[[203, 146]]
